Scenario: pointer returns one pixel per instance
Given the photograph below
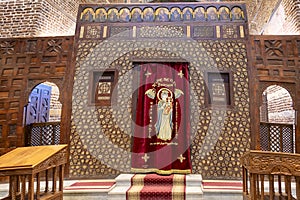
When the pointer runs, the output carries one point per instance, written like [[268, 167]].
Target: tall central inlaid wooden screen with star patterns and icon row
[[210, 37]]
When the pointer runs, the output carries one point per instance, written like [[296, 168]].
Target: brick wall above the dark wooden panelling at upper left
[[25, 18]]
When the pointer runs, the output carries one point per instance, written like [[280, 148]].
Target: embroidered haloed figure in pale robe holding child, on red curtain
[[164, 123]]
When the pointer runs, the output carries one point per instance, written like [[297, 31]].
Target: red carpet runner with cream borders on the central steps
[[156, 187]]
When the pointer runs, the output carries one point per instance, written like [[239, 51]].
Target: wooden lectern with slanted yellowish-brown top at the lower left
[[27, 165]]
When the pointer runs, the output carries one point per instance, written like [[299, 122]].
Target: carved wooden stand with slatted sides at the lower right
[[271, 175]]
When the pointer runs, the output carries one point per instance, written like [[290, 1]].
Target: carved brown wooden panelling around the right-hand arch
[[275, 61]]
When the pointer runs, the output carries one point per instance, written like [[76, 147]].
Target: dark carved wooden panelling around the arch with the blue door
[[26, 63]]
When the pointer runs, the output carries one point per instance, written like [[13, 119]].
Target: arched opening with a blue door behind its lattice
[[42, 115]]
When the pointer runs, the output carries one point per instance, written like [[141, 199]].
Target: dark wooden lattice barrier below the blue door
[[39, 134]]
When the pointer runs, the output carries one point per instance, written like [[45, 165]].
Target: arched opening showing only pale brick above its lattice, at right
[[277, 120]]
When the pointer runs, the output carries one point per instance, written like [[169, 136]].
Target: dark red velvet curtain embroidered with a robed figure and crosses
[[161, 141]]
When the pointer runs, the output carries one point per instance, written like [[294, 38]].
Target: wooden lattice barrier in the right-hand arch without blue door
[[277, 137]]
